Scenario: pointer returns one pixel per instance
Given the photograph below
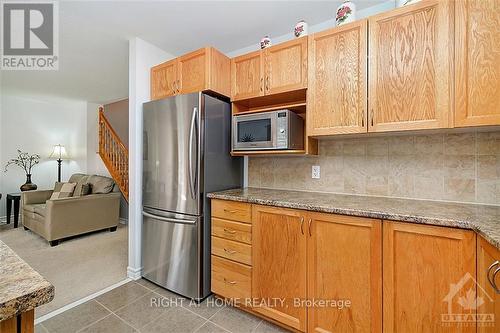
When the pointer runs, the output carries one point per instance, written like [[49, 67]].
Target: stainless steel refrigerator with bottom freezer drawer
[[187, 144]]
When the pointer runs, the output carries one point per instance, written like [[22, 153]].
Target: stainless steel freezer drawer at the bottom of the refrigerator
[[171, 253]]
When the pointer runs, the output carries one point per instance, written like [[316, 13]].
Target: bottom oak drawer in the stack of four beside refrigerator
[[230, 279]]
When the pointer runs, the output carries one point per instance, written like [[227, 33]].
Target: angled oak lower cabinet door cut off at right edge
[[489, 310]]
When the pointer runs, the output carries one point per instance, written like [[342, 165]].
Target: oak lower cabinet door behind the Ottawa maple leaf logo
[[429, 275]]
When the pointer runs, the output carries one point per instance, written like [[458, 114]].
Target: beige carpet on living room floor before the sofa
[[77, 267]]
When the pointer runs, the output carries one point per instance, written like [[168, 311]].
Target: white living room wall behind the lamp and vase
[[34, 125]]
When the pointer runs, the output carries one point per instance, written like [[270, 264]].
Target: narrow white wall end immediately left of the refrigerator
[[142, 56]]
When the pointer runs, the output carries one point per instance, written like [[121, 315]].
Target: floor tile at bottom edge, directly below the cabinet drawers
[[235, 320]]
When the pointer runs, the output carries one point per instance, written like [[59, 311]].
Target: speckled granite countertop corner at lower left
[[21, 288]]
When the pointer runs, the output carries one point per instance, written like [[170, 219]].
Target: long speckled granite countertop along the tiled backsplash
[[483, 219]]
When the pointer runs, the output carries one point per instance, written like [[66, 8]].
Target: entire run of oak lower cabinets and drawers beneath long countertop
[[339, 273]]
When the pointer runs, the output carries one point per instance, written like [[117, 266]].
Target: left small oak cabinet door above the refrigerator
[[163, 80]]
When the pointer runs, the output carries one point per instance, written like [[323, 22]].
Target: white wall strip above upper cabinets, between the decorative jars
[[390, 4]]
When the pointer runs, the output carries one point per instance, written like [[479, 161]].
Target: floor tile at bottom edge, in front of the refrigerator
[[175, 320]]
